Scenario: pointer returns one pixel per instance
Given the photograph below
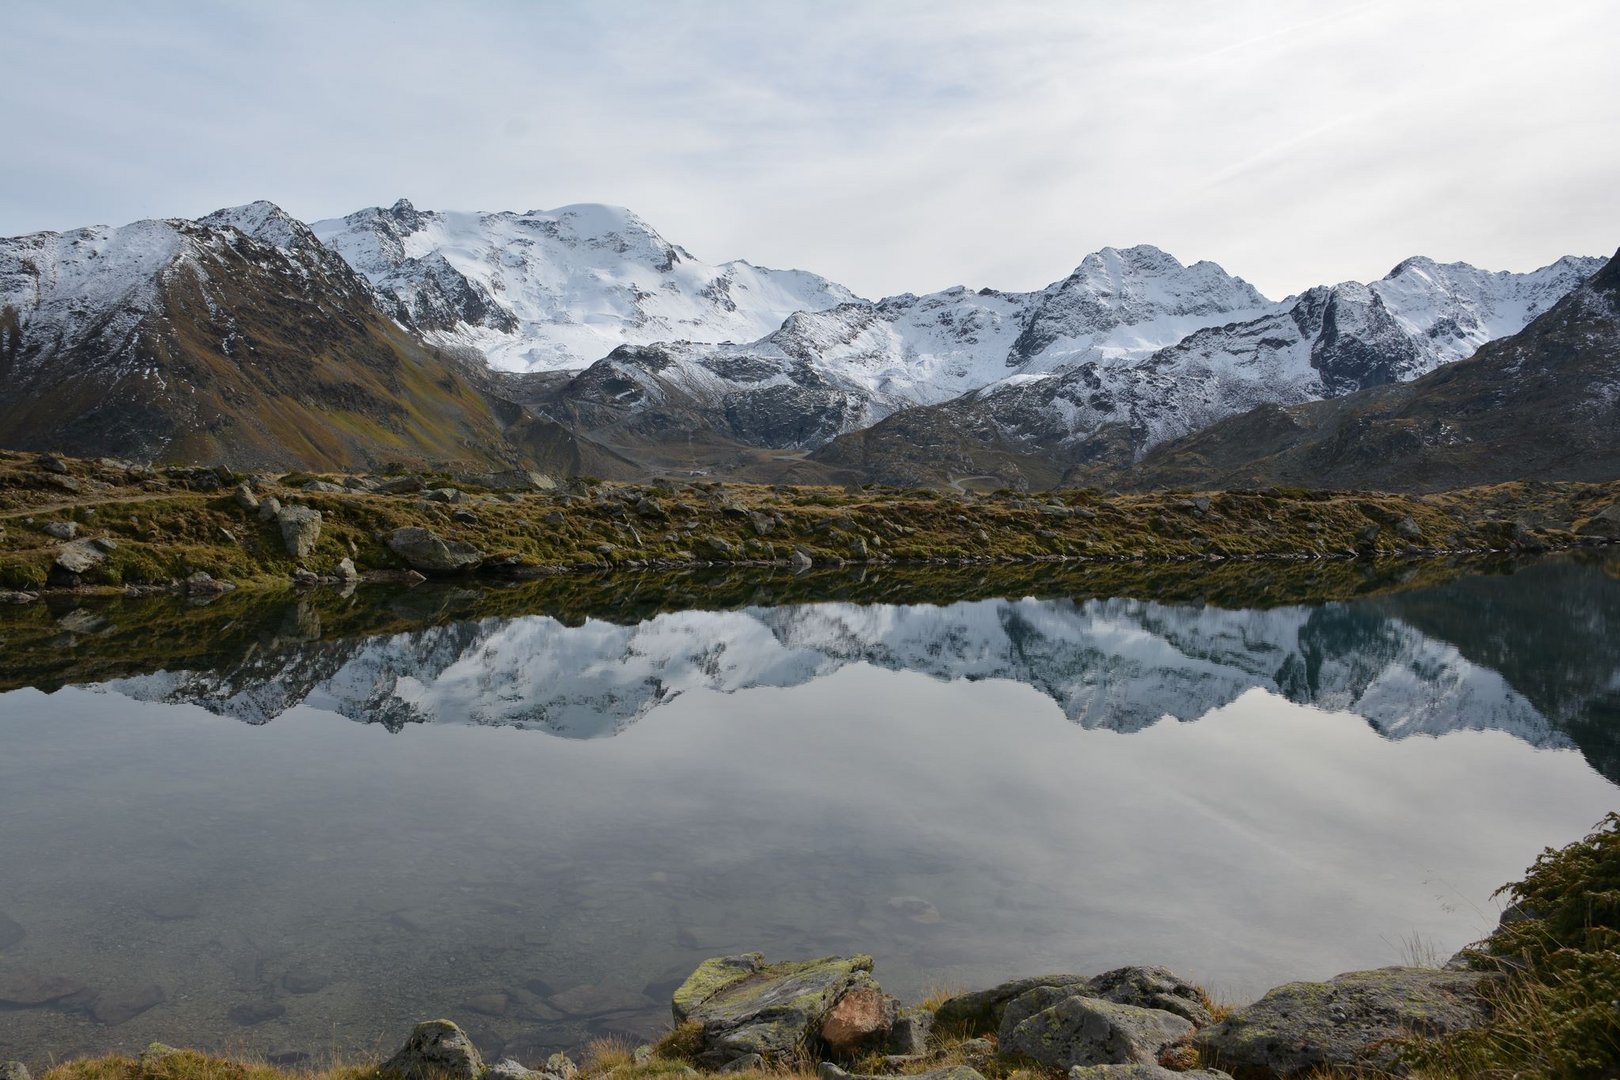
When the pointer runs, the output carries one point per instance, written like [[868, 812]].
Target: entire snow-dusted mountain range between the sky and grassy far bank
[[584, 342]]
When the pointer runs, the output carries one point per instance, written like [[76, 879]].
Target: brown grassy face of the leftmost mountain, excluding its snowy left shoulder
[[252, 360]]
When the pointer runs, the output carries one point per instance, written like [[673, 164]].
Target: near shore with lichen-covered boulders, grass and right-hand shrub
[[1535, 1000]]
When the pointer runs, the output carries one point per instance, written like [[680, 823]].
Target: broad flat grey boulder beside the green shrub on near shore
[[1354, 1021]]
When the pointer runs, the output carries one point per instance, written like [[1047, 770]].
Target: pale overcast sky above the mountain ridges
[[889, 145]]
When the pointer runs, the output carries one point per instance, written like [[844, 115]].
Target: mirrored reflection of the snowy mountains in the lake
[[1119, 665]]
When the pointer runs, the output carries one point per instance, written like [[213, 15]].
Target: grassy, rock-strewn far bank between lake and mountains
[[117, 525]]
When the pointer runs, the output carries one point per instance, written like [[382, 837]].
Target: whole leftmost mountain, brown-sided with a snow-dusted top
[[236, 339]]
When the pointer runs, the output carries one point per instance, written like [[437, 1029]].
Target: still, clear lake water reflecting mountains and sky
[[539, 827]]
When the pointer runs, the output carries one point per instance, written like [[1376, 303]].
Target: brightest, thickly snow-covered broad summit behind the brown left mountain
[[561, 289]]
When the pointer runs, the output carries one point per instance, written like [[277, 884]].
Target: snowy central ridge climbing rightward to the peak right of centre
[[842, 370]]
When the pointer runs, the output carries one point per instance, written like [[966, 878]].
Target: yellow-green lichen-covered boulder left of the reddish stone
[[748, 1006]]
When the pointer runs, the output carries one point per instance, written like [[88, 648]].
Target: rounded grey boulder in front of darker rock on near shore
[[1096, 1032]]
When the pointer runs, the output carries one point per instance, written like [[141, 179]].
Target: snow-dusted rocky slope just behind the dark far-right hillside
[[1328, 342]]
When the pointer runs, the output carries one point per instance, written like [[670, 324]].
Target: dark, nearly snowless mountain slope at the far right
[[1543, 404]]
